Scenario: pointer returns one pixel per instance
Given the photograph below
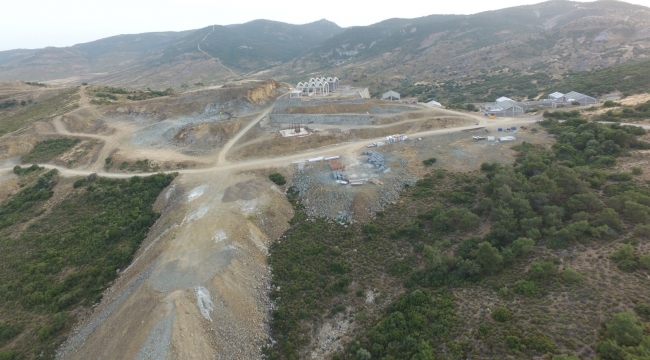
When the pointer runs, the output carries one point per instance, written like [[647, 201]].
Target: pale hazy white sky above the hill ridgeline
[[39, 23]]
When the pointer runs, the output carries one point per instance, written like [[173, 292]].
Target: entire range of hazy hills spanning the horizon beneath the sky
[[553, 38]]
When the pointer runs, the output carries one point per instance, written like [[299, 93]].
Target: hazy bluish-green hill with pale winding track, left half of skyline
[[170, 58]]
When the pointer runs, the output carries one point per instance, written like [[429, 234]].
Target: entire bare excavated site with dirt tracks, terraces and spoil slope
[[198, 287]]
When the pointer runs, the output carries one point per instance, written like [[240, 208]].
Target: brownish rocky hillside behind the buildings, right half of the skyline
[[554, 36]]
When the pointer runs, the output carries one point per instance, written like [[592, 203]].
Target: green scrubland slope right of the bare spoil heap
[[497, 233]]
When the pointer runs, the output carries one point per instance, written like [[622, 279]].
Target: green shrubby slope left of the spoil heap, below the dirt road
[[59, 256]]
